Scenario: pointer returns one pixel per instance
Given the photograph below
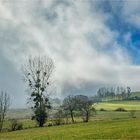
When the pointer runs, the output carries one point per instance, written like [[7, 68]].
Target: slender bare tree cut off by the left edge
[[4, 106]]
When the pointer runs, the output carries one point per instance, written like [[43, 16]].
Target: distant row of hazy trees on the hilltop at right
[[120, 92]]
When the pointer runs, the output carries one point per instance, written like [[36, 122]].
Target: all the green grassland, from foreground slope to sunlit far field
[[107, 124]]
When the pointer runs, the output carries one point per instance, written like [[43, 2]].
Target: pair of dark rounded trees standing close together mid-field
[[78, 103]]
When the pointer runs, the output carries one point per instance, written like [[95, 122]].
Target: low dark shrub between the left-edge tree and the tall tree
[[15, 125]]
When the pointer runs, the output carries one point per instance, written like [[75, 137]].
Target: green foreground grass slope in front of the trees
[[107, 129]]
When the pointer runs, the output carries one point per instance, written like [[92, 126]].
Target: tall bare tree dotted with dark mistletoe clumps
[[37, 74]]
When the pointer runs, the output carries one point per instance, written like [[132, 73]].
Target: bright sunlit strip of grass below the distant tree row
[[112, 105]]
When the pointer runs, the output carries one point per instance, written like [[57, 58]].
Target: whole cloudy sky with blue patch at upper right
[[93, 43]]
